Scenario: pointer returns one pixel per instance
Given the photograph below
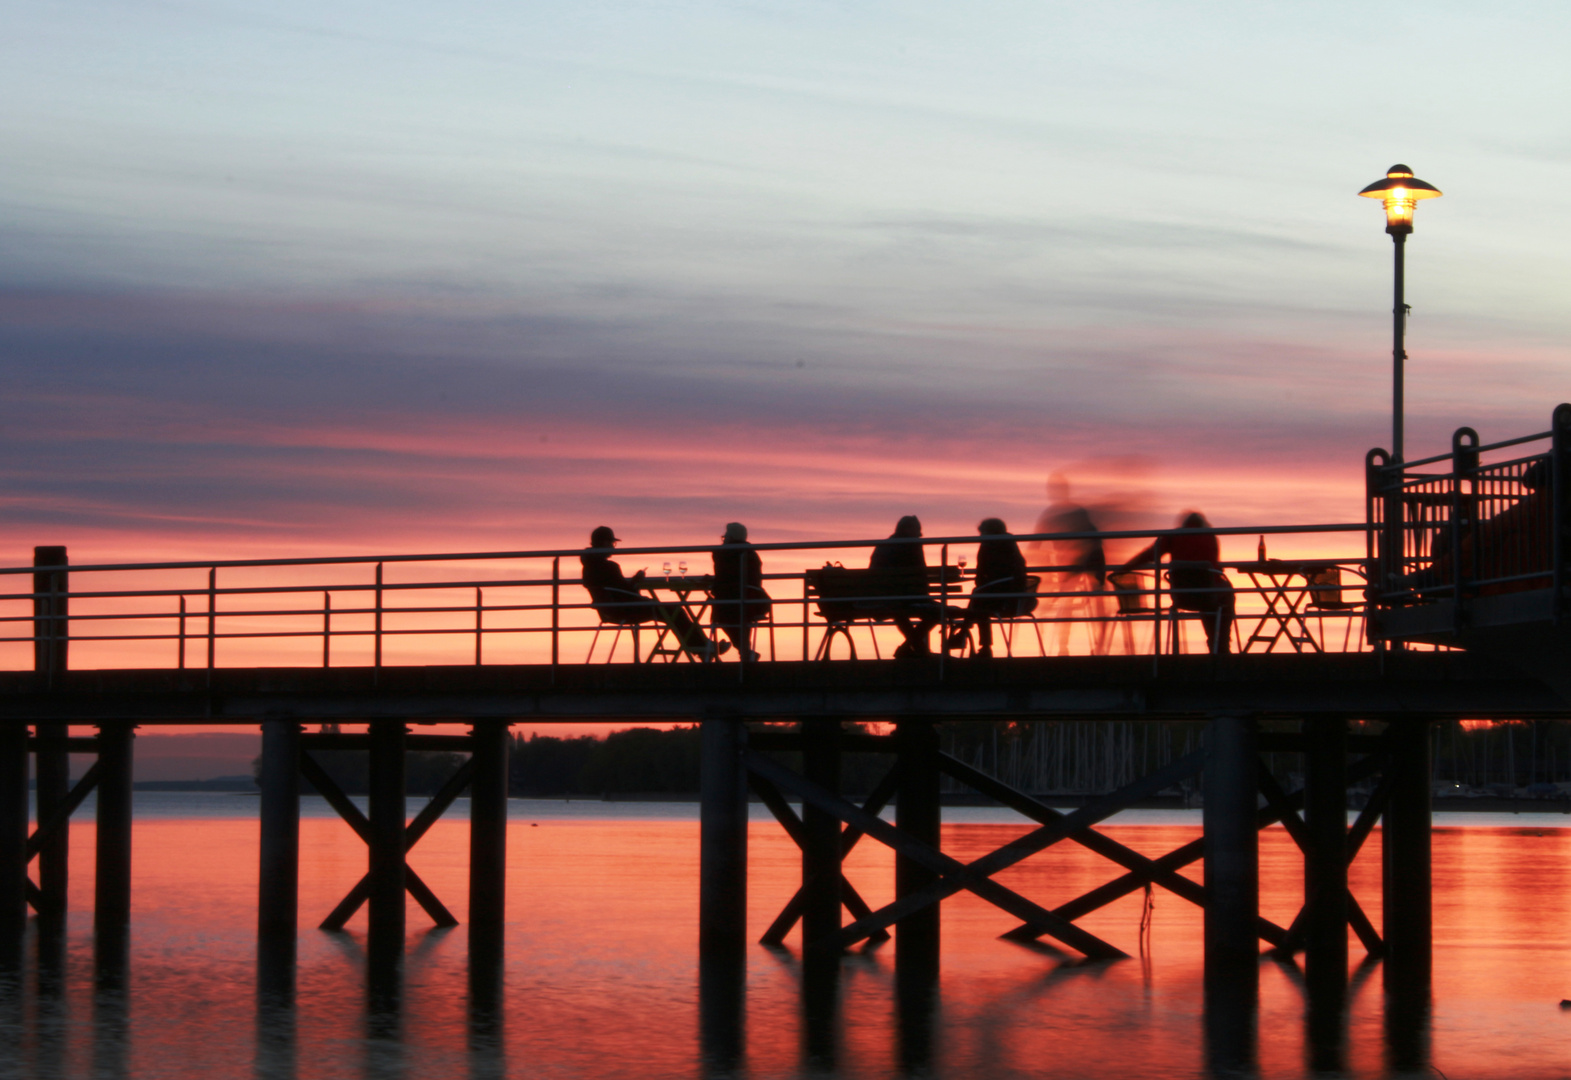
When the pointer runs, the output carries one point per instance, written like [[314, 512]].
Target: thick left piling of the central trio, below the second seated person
[[723, 839]]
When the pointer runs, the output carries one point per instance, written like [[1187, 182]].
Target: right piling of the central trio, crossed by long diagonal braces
[[918, 814]]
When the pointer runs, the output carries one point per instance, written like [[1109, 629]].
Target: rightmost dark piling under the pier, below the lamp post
[[1408, 917]]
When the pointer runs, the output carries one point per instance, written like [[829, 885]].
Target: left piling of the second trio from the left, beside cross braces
[[279, 881]]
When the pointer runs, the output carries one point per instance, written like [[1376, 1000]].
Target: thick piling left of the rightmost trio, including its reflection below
[[1232, 894]]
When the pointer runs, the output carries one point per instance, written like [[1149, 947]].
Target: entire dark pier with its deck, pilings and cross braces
[[1358, 714]]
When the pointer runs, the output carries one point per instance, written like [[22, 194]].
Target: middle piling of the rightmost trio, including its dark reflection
[[1327, 887]]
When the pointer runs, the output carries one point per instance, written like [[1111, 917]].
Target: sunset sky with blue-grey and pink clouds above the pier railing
[[296, 279]]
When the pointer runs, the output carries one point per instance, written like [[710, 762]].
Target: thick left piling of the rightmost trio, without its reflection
[[1232, 854]]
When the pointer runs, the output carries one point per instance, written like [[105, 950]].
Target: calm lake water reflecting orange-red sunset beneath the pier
[[601, 974]]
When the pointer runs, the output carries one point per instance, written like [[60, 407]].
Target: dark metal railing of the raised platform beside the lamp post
[[1481, 521]]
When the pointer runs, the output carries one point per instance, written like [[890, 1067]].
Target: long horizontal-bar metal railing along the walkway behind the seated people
[[532, 608]]
